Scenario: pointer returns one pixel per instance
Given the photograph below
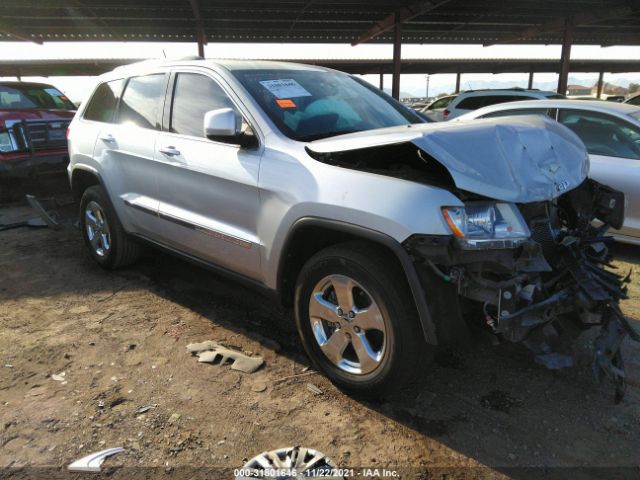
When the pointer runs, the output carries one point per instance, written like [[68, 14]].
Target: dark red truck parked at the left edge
[[33, 123]]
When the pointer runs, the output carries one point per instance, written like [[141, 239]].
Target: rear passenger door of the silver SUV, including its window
[[125, 150]]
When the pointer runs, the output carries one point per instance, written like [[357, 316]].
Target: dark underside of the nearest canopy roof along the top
[[601, 22]]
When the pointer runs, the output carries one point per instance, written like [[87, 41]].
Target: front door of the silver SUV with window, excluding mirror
[[208, 189]]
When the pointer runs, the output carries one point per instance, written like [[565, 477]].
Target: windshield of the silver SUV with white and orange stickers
[[308, 105]]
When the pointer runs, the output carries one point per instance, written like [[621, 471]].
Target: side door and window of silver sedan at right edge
[[614, 150]]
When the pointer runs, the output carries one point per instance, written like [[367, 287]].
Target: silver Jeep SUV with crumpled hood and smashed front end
[[386, 235]]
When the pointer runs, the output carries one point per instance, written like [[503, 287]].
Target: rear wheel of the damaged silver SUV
[[108, 243]]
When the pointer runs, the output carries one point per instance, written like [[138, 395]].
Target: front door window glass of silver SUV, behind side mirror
[[193, 96]]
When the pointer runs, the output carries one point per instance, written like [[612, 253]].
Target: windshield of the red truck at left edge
[[33, 96]]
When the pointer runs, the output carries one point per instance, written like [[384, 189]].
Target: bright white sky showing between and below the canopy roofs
[[77, 88]]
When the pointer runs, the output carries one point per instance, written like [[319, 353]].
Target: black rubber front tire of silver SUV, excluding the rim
[[378, 272]]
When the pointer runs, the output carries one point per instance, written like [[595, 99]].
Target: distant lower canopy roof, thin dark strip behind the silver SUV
[[70, 67]]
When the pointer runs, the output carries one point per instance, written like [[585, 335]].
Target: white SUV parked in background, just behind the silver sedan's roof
[[472, 100]]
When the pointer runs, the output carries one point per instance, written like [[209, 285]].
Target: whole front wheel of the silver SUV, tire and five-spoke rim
[[358, 321]]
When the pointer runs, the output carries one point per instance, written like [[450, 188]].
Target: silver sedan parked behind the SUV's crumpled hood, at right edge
[[611, 133]]
